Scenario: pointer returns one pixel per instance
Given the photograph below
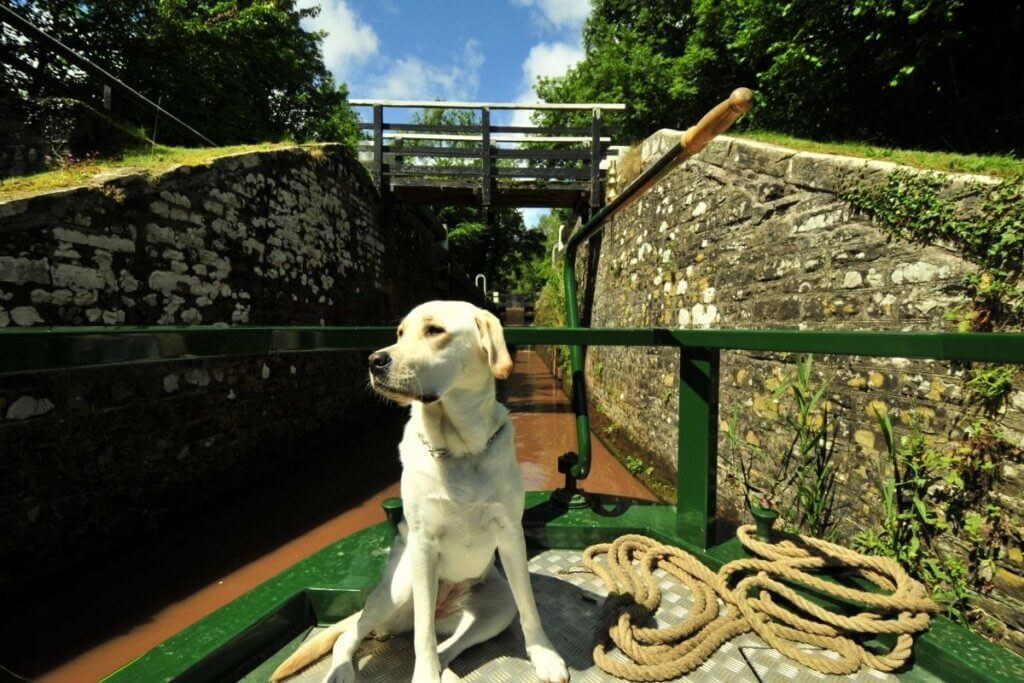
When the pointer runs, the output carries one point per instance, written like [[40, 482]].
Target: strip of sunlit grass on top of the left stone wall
[[152, 161]]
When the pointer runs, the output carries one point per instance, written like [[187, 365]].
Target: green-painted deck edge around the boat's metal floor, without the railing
[[251, 636]]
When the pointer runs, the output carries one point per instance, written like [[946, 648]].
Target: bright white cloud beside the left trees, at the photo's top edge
[[350, 42]]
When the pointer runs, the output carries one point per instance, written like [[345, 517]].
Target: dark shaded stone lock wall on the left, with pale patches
[[289, 237]]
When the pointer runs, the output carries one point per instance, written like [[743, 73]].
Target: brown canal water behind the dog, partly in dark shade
[[88, 626]]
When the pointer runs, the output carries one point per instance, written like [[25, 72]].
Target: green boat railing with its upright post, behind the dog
[[37, 350]]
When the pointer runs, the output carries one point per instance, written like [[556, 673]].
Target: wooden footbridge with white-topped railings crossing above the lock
[[485, 164]]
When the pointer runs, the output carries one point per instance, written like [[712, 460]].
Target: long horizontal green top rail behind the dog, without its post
[[49, 350]]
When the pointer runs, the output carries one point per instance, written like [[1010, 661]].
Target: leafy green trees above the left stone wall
[[238, 71]]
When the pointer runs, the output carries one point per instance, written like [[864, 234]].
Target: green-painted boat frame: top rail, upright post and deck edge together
[[334, 581]]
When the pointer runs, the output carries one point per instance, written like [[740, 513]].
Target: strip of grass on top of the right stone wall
[[998, 165]]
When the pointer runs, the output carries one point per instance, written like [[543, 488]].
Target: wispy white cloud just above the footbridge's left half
[[412, 78]]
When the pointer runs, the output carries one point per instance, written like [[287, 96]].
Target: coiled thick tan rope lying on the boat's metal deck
[[758, 596]]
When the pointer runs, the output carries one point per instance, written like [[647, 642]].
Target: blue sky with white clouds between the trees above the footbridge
[[489, 51]]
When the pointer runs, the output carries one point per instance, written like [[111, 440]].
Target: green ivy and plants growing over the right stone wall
[[930, 492]]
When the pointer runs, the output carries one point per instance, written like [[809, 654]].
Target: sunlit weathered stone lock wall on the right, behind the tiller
[[752, 236]]
